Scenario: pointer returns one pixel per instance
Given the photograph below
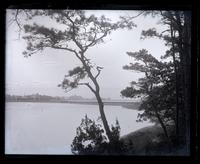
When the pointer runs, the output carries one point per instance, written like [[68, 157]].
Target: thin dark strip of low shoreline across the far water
[[129, 105]]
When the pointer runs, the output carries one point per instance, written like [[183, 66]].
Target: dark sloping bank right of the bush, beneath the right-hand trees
[[151, 141]]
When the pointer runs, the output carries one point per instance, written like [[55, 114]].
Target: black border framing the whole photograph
[[105, 5]]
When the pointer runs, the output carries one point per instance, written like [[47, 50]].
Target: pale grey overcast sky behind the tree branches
[[42, 72]]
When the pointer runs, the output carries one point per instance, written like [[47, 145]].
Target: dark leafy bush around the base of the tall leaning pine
[[90, 139]]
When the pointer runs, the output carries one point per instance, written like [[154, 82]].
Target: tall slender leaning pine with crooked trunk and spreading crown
[[80, 33]]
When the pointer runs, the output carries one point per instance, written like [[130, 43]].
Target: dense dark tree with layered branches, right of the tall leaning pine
[[156, 89]]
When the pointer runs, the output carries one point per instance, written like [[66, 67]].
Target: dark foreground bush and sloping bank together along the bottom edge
[[91, 140]]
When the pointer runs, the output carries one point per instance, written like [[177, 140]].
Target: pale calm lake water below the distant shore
[[49, 128]]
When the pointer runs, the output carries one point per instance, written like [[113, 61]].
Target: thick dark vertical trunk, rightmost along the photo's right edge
[[185, 65]]
